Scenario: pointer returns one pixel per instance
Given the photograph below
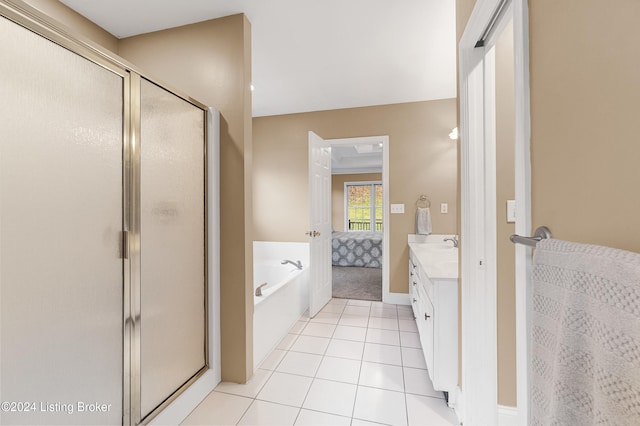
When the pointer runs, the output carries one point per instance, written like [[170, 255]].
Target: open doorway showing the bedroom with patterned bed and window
[[359, 165]]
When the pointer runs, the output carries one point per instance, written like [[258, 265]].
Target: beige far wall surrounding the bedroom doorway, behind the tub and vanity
[[422, 161]]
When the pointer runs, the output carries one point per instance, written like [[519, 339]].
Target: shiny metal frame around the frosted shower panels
[[42, 25]]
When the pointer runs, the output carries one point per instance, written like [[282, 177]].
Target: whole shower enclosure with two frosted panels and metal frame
[[103, 232]]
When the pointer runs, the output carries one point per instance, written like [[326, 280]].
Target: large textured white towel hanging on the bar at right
[[585, 335]]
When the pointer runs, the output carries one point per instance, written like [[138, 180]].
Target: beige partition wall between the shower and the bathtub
[[211, 61]]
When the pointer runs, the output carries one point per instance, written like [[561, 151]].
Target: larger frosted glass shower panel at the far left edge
[[61, 278]]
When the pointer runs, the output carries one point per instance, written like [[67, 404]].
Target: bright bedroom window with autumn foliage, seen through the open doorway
[[363, 206]]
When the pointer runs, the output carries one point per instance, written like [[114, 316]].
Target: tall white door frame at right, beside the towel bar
[[478, 254]]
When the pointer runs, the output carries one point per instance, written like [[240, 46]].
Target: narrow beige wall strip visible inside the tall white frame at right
[[505, 190]]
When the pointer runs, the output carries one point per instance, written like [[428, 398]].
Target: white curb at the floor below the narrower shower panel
[[178, 410]]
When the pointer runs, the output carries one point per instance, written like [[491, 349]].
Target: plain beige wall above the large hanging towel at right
[[585, 94]]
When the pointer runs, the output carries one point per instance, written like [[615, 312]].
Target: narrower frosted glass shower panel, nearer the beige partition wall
[[172, 243]]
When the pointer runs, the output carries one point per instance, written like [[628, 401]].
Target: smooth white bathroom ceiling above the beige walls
[[311, 55]]
